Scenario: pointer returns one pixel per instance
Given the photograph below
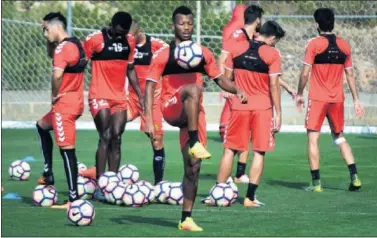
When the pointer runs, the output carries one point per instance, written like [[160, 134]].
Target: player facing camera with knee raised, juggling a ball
[[181, 97]]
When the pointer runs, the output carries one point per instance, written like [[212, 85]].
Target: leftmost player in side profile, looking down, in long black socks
[[67, 101]]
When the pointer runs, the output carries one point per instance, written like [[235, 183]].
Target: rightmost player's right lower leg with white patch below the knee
[[346, 151]]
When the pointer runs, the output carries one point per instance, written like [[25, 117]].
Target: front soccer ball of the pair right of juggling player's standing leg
[[221, 194]]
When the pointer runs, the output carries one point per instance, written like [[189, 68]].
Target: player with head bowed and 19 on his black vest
[[111, 51]]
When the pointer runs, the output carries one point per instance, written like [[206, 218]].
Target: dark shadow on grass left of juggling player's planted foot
[[159, 221]]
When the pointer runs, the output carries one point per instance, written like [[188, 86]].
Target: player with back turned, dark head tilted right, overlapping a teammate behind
[[256, 66]]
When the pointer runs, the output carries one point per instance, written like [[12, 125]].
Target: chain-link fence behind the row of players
[[26, 68]]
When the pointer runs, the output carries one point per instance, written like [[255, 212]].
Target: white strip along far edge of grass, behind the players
[[89, 125]]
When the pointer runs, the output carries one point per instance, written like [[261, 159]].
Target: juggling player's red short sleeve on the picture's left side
[[157, 66]]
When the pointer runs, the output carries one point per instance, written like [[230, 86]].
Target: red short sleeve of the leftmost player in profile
[[65, 54]]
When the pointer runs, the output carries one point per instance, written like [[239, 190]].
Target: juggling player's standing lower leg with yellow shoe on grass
[[190, 188]]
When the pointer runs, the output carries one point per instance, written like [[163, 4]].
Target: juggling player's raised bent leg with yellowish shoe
[[190, 96]]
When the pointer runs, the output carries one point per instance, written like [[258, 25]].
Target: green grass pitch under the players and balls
[[289, 210]]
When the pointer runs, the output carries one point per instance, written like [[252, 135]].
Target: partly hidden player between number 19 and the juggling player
[[146, 46]]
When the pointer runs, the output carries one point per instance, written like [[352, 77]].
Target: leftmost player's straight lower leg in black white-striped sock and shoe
[[68, 154]]
